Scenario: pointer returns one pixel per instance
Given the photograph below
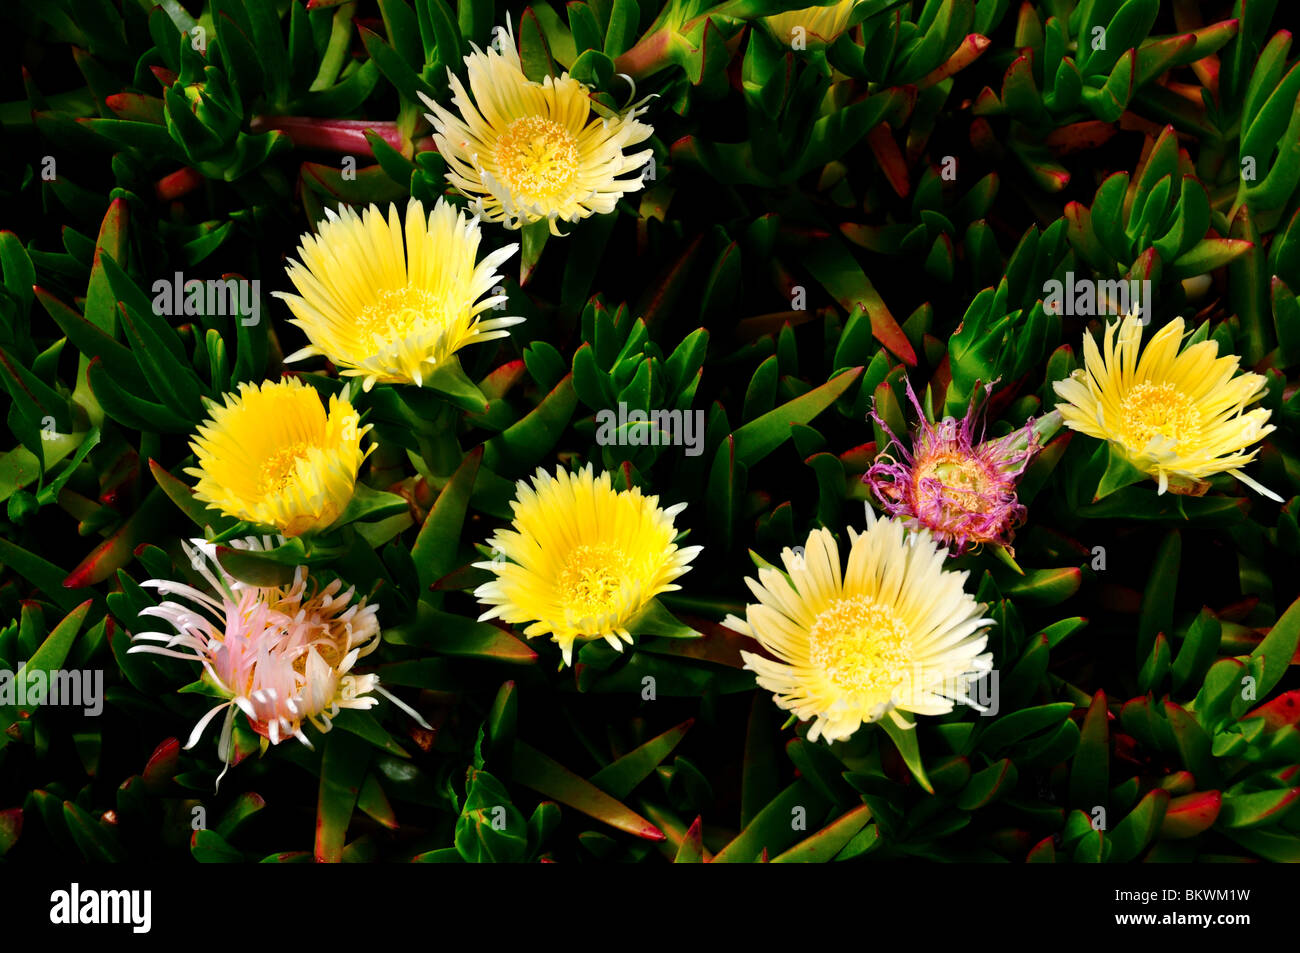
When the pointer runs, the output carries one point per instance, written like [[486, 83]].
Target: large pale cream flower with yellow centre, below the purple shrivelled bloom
[[895, 633]]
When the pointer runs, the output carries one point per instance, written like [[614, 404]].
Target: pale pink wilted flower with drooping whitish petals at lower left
[[284, 656]]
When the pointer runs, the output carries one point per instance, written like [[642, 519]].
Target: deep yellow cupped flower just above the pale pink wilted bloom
[[272, 456]]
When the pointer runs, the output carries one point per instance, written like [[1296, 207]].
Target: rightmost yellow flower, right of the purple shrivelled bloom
[[1180, 418]]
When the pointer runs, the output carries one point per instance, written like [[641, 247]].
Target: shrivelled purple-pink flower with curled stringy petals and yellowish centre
[[955, 483]]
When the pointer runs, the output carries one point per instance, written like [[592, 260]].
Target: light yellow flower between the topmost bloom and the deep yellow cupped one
[[392, 315]]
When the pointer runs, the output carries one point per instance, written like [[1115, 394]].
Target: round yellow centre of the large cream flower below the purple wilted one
[[861, 646]]
